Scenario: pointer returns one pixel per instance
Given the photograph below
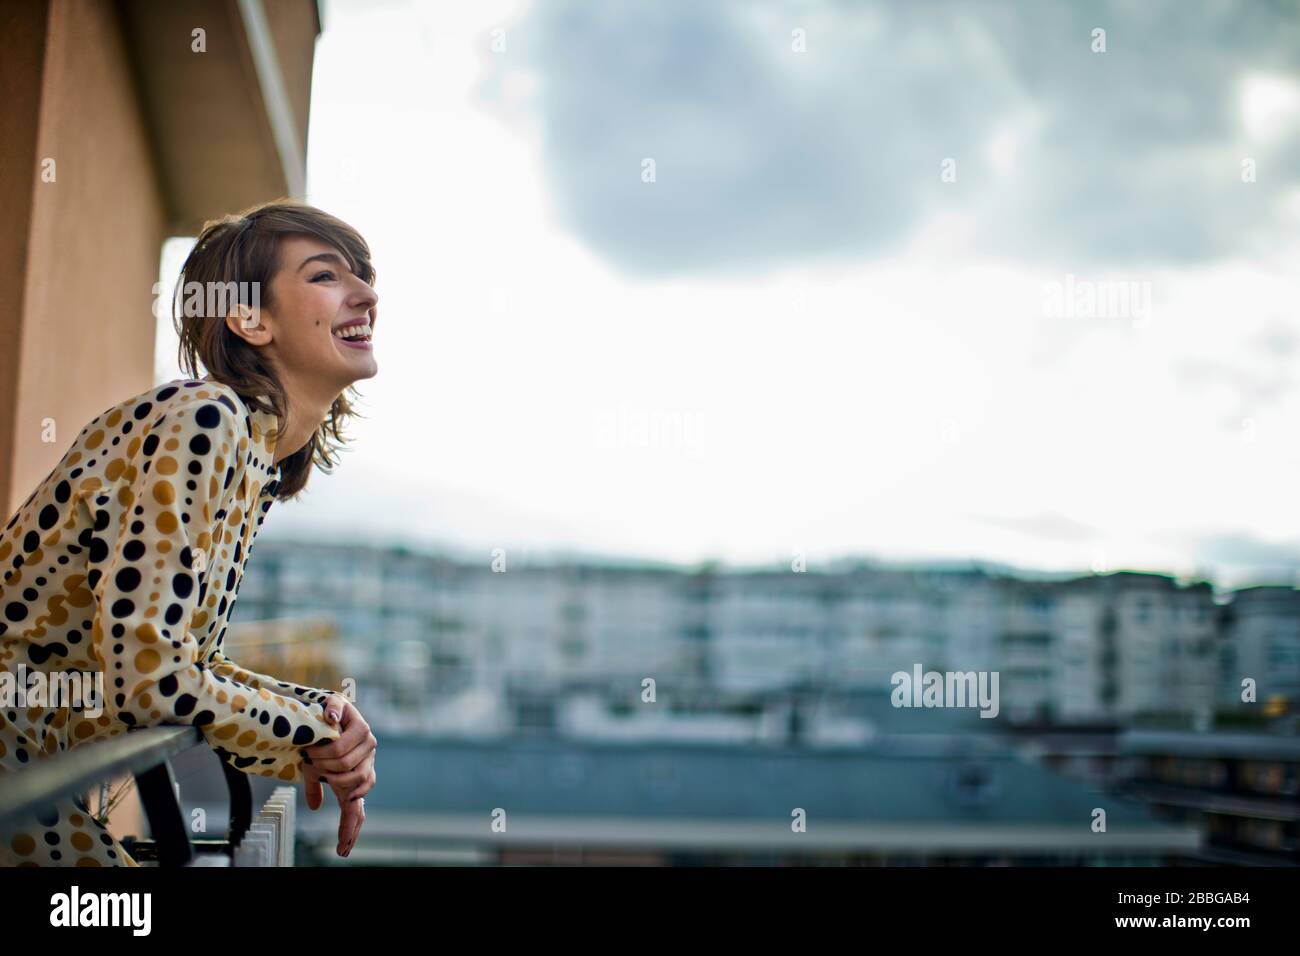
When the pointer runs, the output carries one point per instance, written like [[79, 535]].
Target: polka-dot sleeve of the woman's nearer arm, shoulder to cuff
[[148, 591]]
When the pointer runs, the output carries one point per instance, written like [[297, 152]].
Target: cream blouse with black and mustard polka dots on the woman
[[127, 560]]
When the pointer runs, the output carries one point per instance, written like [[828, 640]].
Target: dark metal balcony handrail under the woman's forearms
[[144, 752]]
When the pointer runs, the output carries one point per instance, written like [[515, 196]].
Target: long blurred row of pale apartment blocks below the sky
[[1100, 648]]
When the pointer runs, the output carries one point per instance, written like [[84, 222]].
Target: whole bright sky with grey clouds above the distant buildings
[[679, 282]]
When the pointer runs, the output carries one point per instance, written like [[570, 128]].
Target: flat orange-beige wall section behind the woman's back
[[93, 254]]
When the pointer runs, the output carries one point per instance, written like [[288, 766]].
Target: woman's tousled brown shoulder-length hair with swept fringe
[[233, 254]]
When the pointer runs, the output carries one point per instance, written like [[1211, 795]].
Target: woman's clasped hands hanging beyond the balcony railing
[[346, 765]]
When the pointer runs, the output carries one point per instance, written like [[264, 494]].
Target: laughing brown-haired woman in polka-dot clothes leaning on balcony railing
[[125, 563]]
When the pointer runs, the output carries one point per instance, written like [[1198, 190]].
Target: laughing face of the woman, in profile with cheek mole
[[315, 297]]
